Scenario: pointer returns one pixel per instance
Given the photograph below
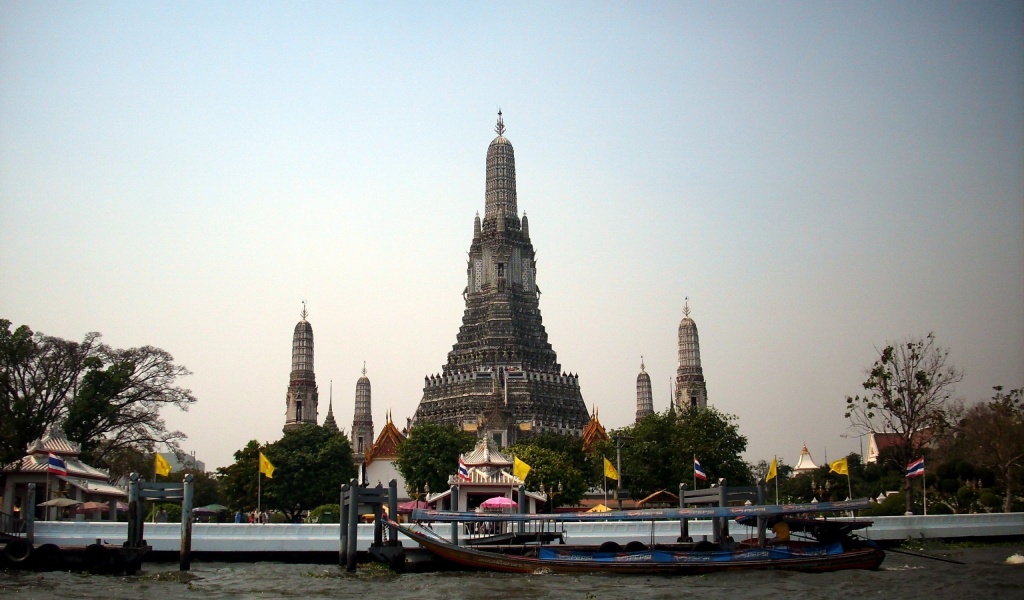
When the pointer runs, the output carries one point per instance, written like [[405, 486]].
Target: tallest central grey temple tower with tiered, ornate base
[[502, 378]]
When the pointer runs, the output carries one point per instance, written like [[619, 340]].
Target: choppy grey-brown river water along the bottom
[[987, 575]]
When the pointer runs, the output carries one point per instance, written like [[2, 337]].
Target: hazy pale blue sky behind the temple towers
[[820, 179]]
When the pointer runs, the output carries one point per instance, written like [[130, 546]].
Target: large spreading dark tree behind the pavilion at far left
[[107, 400]]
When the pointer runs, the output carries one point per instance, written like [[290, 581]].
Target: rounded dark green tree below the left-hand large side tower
[[311, 464]]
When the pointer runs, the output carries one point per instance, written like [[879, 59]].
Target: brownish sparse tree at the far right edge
[[993, 437]]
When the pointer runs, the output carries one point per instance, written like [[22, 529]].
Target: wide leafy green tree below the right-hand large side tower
[[658, 453]]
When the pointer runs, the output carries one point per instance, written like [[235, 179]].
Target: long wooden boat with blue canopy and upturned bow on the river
[[831, 545]]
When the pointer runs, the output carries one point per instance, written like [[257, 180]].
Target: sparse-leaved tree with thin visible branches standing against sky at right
[[909, 393]]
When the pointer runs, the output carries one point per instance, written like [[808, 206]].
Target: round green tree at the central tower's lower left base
[[431, 455]]
